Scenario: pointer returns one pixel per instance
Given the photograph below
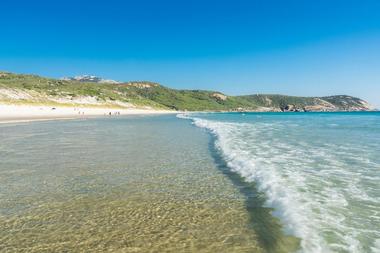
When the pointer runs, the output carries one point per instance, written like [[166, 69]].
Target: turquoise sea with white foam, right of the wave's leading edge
[[320, 172]]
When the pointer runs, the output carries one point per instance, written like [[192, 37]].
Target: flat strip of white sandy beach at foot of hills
[[24, 113]]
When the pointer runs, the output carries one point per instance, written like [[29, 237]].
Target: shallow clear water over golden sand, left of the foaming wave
[[126, 184]]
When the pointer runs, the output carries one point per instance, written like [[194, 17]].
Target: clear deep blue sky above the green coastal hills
[[319, 47]]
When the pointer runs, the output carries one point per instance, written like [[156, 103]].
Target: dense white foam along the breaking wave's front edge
[[288, 195]]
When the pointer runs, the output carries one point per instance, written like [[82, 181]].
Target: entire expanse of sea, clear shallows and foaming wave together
[[195, 182]]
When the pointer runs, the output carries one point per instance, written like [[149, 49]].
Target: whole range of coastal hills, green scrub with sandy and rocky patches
[[97, 92]]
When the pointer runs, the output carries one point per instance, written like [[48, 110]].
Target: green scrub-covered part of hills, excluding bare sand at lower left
[[154, 95]]
